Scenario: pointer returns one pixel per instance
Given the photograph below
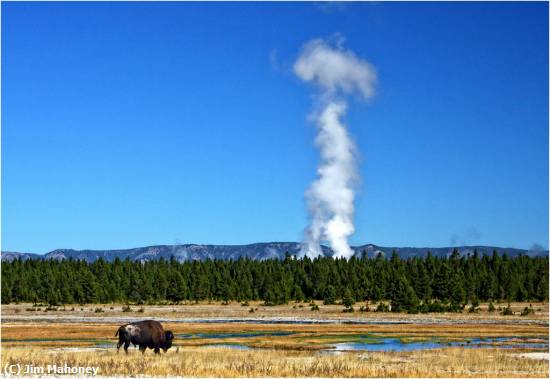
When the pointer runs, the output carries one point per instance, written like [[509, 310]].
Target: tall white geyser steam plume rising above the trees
[[335, 72]]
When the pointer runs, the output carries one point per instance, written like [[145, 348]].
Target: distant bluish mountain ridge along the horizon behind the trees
[[258, 251]]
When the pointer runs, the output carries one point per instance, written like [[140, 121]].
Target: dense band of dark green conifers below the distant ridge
[[417, 284]]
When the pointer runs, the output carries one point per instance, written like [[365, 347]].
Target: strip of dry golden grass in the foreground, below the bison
[[219, 362]]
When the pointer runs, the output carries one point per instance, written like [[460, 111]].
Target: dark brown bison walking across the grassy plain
[[145, 334]]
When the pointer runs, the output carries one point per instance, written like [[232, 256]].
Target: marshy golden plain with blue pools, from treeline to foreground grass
[[288, 340]]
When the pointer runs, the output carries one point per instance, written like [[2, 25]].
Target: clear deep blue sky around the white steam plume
[[133, 124]]
